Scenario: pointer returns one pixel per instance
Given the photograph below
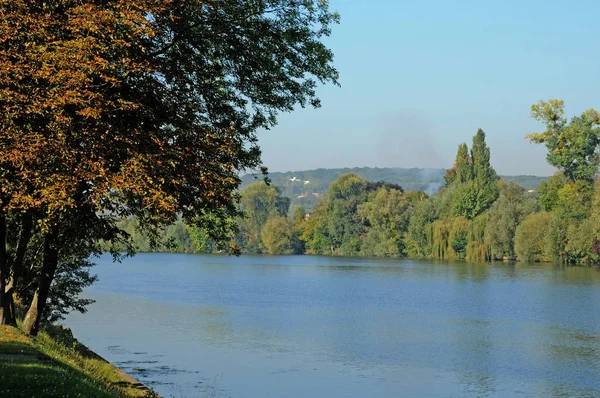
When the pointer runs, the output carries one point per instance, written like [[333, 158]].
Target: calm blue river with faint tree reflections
[[304, 326]]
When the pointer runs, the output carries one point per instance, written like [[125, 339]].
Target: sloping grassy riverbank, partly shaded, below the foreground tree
[[55, 364]]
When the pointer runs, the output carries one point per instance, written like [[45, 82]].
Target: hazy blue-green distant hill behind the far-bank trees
[[306, 187]]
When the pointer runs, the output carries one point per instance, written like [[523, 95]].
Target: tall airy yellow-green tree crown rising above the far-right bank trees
[[572, 146]]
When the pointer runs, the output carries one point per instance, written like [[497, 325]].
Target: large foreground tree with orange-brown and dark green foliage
[[144, 107]]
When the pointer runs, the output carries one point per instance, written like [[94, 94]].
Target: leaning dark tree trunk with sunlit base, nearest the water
[[31, 323]]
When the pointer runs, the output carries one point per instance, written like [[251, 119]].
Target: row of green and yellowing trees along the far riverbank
[[476, 216]]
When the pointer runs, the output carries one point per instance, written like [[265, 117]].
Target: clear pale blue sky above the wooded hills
[[420, 77]]
